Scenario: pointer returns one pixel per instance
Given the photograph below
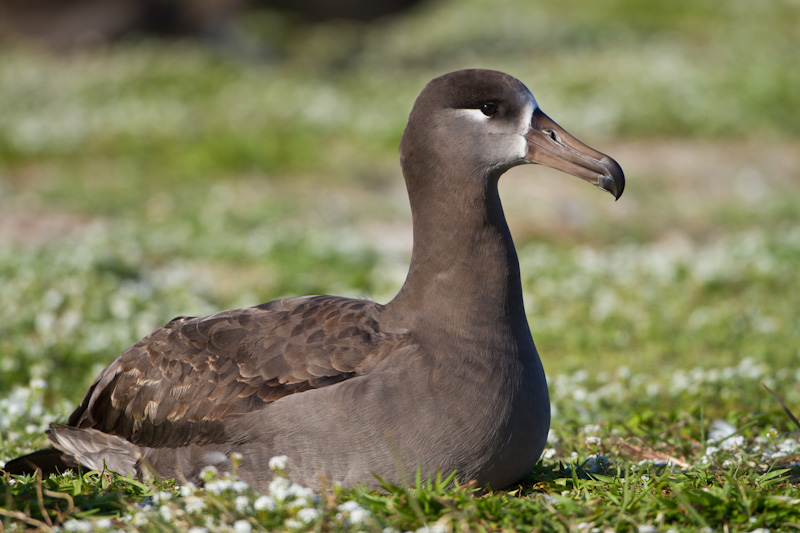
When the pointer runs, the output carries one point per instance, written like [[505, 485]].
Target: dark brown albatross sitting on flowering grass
[[444, 377]]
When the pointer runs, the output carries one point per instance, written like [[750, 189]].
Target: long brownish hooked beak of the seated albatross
[[549, 144]]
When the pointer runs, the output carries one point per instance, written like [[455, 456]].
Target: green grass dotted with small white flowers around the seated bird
[[145, 180]]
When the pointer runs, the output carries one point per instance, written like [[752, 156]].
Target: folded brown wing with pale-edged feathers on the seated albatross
[[176, 385]]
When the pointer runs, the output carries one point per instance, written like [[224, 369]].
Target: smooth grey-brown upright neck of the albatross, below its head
[[464, 276]]
